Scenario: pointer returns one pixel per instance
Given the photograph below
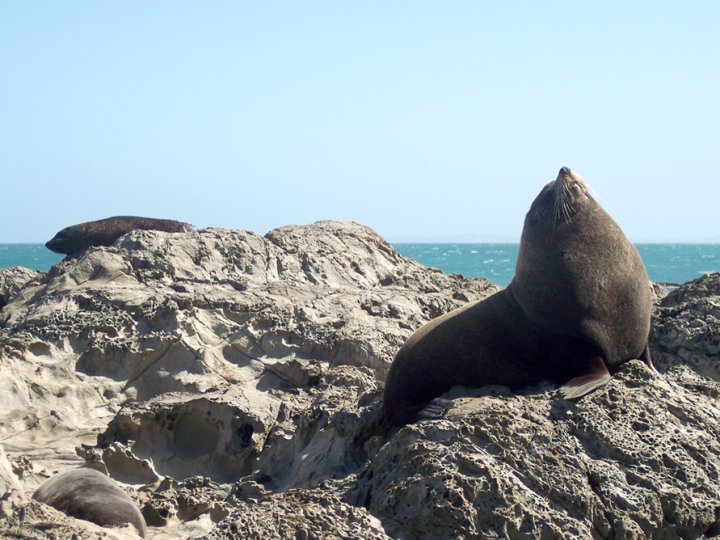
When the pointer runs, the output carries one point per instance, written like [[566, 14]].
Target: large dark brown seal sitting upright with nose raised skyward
[[578, 306]]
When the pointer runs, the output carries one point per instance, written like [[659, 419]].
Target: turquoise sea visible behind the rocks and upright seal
[[667, 263]]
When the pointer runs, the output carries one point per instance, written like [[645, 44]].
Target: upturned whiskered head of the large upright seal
[[560, 200]]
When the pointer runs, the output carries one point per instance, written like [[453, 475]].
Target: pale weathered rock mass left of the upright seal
[[217, 354]]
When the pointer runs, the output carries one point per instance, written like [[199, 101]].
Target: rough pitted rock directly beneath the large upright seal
[[636, 459]]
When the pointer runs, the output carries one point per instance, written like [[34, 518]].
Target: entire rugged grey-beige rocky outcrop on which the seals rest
[[232, 384]]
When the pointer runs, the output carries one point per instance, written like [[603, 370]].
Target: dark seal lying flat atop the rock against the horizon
[[104, 232]]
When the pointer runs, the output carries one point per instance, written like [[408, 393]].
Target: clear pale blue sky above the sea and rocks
[[425, 120]]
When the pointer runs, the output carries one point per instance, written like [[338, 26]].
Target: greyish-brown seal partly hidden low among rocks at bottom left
[[90, 495]]
